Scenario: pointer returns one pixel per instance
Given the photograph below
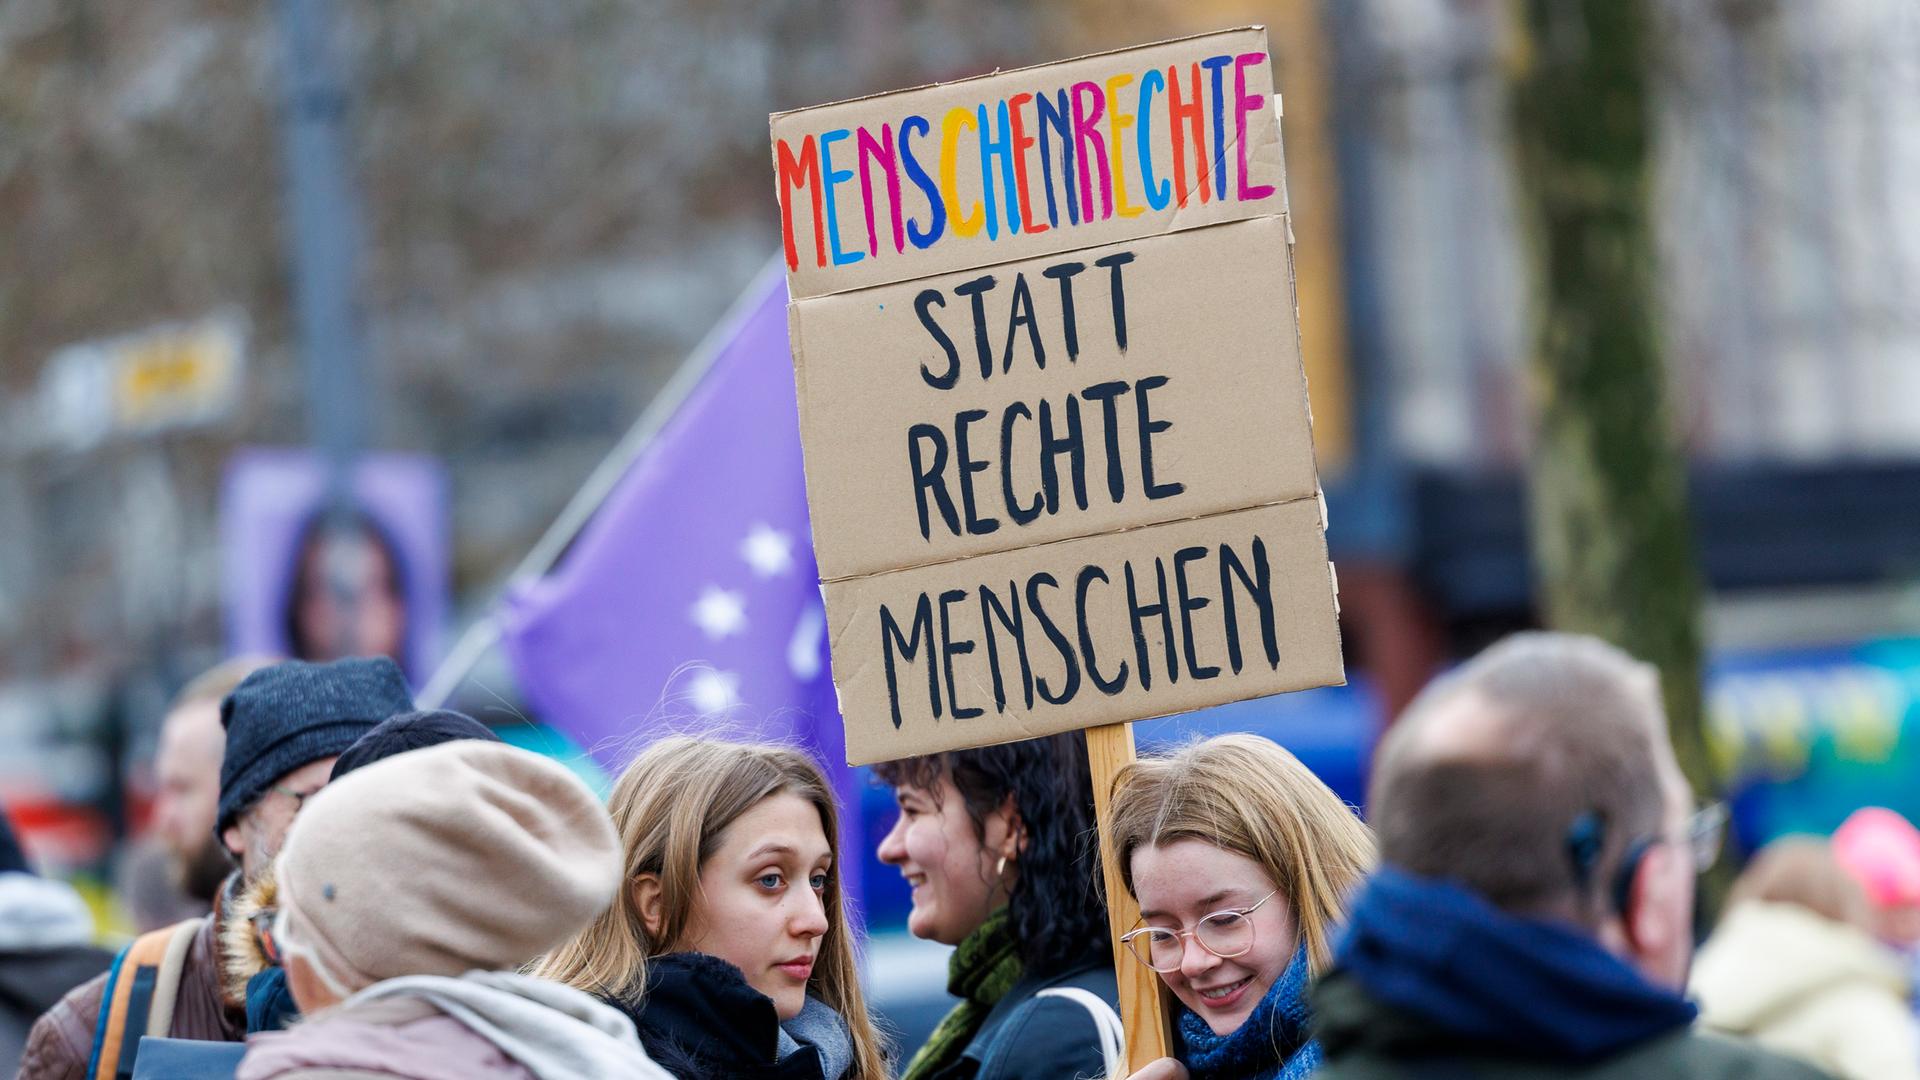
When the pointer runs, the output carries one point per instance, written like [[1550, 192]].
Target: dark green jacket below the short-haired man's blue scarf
[[1370, 1041]]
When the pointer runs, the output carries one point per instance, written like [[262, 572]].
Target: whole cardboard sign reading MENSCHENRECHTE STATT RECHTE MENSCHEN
[[1059, 454]]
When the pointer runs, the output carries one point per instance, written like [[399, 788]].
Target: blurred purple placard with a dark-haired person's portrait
[[306, 587]]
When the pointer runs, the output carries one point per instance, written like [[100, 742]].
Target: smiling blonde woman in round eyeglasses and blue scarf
[[1243, 864]]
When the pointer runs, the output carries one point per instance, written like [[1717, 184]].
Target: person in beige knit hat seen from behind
[[412, 893]]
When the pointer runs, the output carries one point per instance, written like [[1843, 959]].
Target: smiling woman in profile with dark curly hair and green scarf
[[1001, 850]]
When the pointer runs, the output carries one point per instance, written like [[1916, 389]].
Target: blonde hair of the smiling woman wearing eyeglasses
[[1249, 797]]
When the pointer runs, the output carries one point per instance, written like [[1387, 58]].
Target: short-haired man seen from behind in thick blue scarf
[[1535, 904]]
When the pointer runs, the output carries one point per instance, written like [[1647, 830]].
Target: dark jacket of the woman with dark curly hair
[[1040, 1039]]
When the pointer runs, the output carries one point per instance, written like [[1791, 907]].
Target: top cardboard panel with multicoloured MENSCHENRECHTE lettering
[[848, 255]]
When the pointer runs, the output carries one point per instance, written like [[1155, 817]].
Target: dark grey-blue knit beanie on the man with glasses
[[295, 714]]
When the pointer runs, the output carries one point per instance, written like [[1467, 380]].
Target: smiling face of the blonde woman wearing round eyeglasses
[[1186, 881]]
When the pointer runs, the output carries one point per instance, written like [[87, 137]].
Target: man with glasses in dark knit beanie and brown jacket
[[285, 727]]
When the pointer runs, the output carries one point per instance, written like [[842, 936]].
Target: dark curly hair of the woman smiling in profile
[[1059, 900]]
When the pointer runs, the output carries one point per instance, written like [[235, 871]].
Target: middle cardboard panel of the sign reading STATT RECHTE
[[1207, 318]]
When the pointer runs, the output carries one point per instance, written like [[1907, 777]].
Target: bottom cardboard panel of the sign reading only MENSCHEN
[[959, 641]]
